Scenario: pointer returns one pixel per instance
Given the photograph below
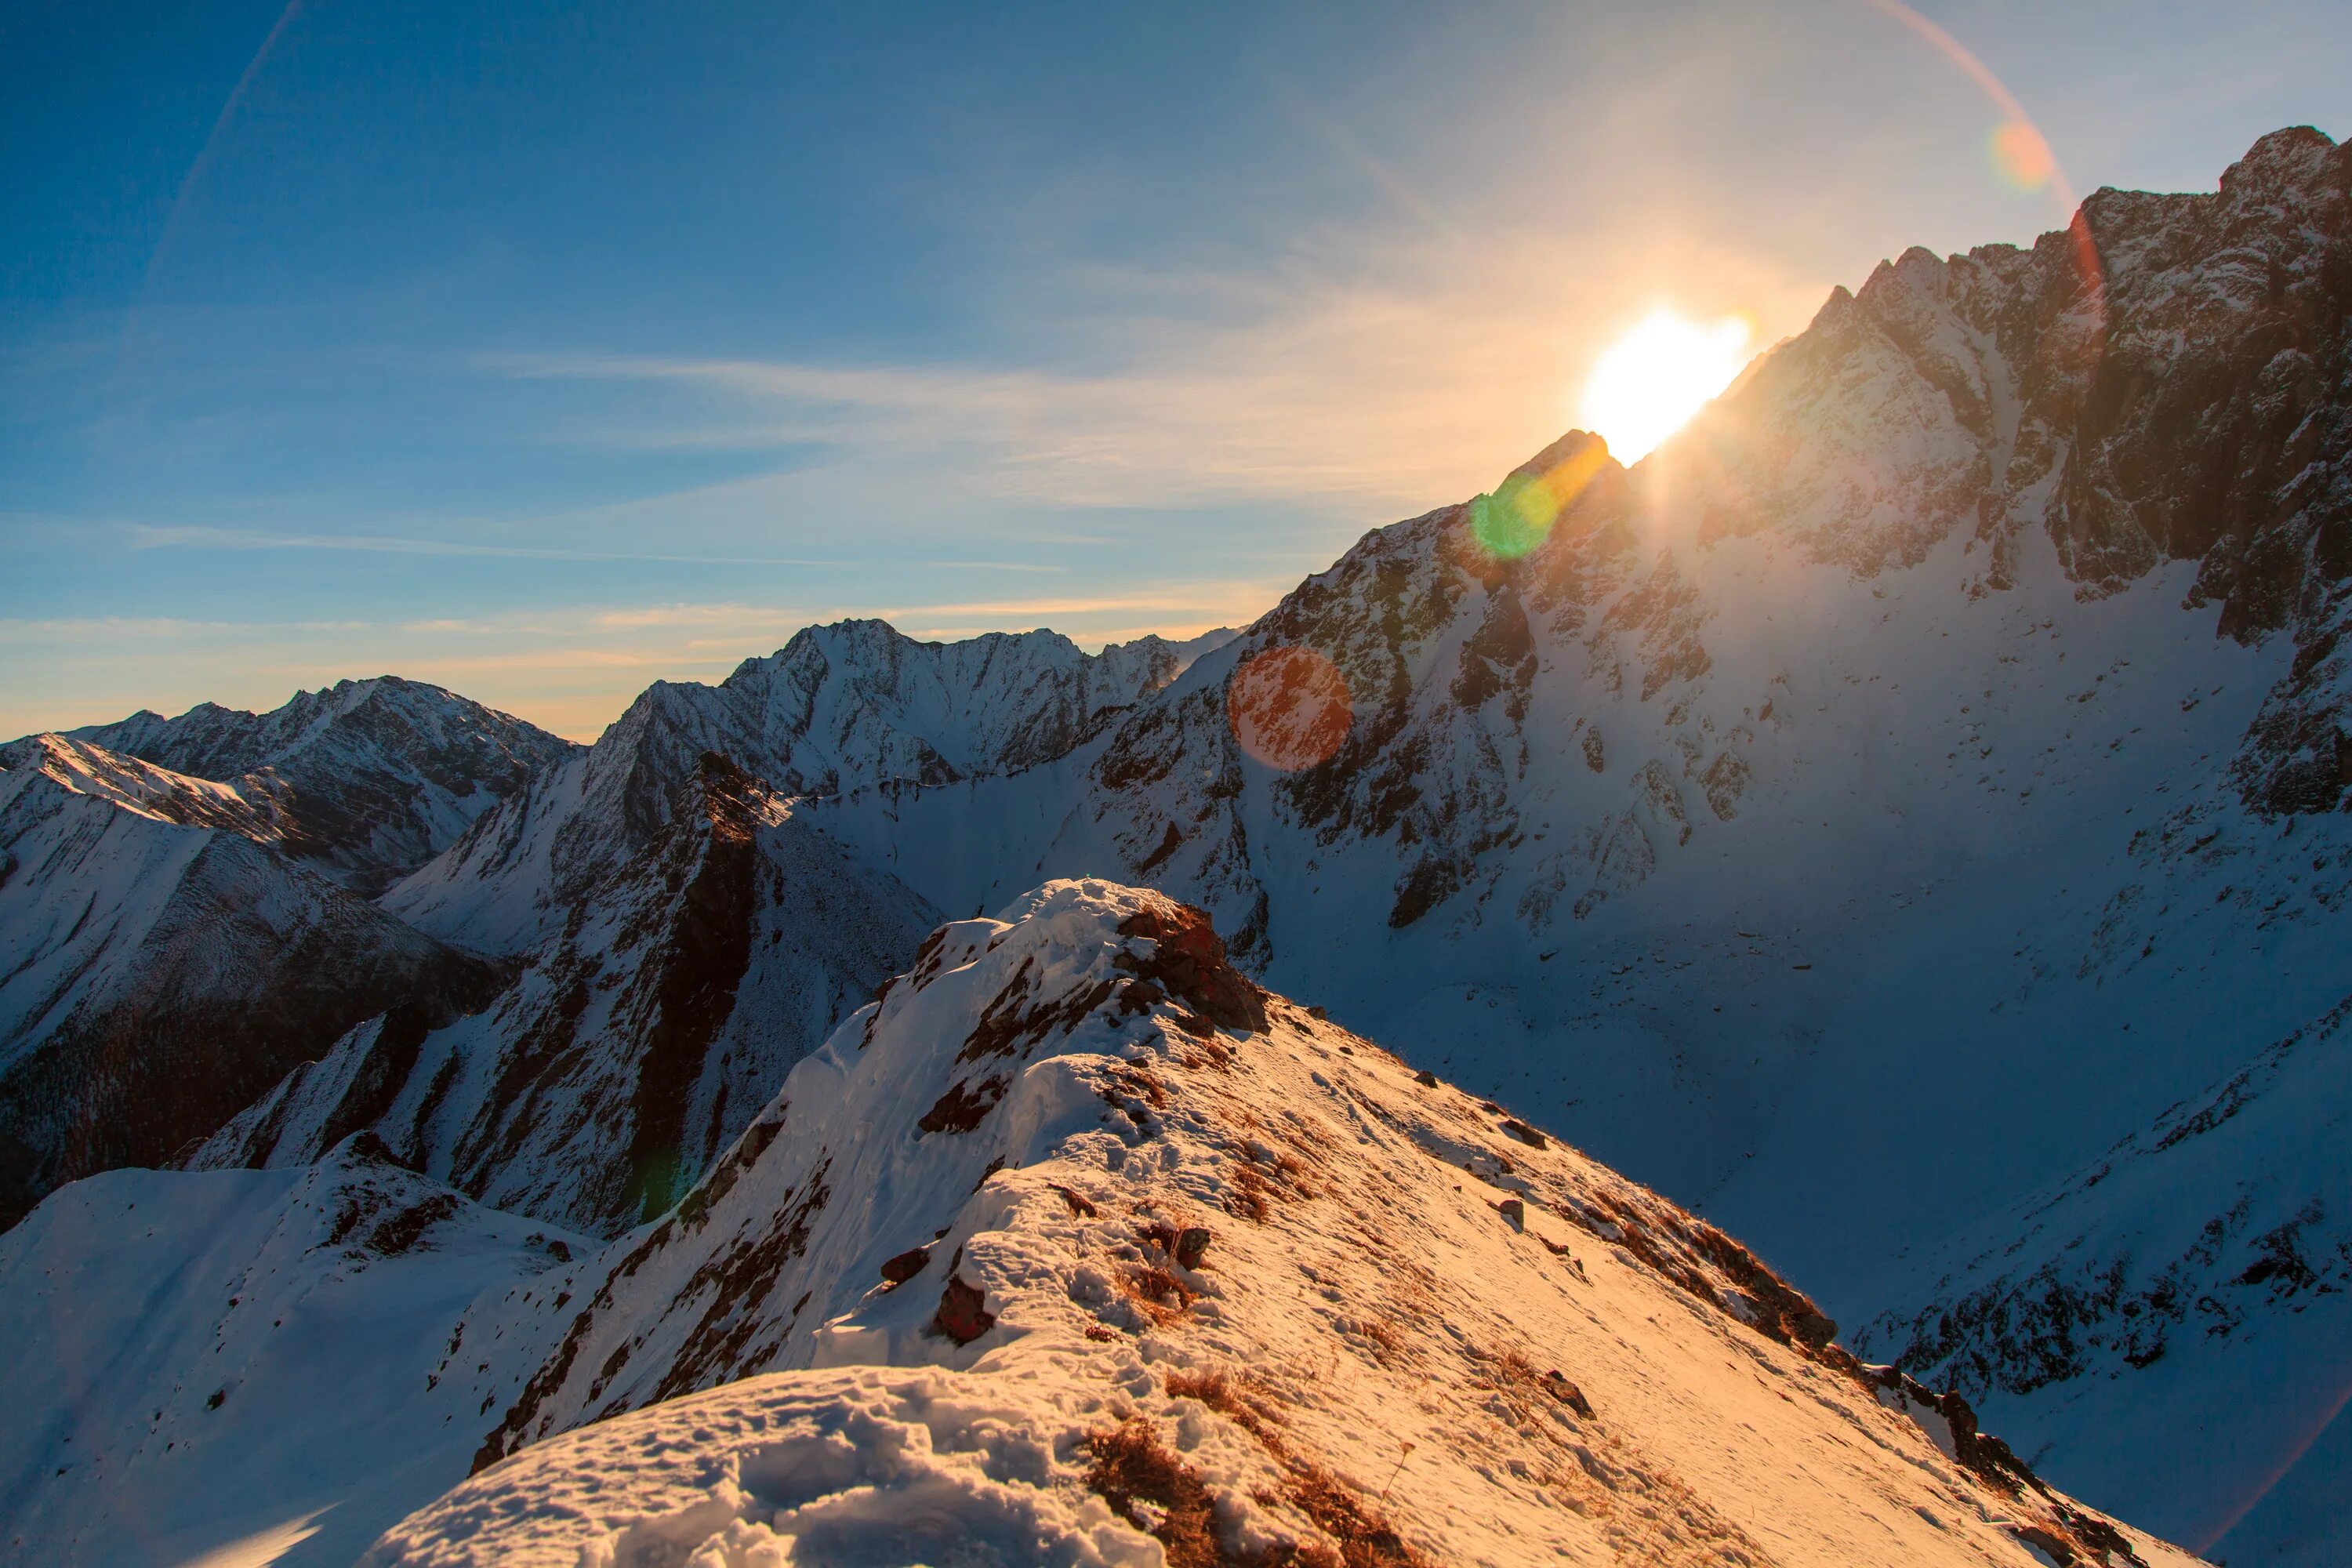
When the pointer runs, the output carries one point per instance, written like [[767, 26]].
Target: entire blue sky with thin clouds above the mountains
[[554, 349]]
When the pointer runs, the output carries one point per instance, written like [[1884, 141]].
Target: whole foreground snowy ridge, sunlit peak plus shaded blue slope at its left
[[1071, 1249]]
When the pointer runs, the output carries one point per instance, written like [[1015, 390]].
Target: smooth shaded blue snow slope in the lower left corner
[[234, 1355]]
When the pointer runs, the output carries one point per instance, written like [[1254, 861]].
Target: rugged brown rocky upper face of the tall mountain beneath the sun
[[2170, 382]]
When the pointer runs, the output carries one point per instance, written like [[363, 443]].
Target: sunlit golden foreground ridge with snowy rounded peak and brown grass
[[1083, 1240]]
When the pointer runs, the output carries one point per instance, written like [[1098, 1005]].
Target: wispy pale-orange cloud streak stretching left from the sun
[[1394, 384]]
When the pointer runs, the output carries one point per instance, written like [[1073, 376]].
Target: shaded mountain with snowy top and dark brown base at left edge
[[163, 974]]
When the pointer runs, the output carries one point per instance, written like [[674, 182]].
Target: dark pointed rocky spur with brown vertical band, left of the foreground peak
[[639, 1043]]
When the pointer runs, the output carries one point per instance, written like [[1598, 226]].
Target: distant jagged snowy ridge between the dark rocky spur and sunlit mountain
[[838, 706]]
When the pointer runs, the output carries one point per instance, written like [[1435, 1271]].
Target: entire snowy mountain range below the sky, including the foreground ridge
[[1904, 819]]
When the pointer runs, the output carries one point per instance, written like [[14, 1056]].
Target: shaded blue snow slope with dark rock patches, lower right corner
[[2200, 1268]]
